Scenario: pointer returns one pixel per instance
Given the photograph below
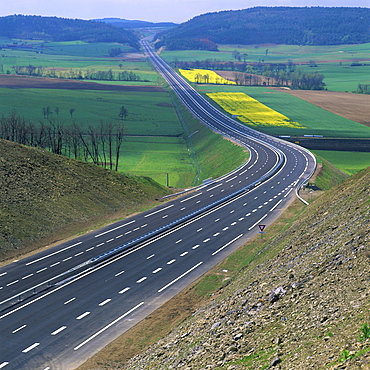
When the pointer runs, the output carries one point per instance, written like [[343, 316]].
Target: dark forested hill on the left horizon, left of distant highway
[[63, 29]]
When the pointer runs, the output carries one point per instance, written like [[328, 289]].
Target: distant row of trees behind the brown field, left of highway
[[109, 75]]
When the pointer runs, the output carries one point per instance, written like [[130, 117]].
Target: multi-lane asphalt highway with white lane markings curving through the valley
[[60, 306]]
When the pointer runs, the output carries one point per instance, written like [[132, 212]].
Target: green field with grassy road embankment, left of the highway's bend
[[156, 141]]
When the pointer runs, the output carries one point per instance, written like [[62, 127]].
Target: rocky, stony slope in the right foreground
[[307, 306]]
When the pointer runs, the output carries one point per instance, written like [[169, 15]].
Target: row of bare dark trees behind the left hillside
[[100, 144]]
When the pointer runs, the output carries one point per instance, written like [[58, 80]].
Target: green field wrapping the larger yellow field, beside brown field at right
[[316, 120]]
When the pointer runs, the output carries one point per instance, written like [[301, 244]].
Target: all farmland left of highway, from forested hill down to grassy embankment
[[156, 129]]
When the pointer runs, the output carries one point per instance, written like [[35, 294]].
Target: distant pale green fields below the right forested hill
[[333, 61]]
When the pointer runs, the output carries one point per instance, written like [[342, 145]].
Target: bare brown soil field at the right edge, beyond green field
[[355, 107]]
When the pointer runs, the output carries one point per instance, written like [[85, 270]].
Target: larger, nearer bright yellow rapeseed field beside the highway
[[251, 111]]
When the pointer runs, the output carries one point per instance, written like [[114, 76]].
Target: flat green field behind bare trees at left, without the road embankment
[[150, 157]]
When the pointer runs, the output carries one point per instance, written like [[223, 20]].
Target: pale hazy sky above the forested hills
[[177, 11]]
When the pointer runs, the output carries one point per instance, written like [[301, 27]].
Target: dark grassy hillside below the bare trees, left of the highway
[[44, 197]]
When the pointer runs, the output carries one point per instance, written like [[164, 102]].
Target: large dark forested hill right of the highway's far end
[[276, 25]]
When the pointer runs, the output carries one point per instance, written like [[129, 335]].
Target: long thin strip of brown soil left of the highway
[[24, 82]]
